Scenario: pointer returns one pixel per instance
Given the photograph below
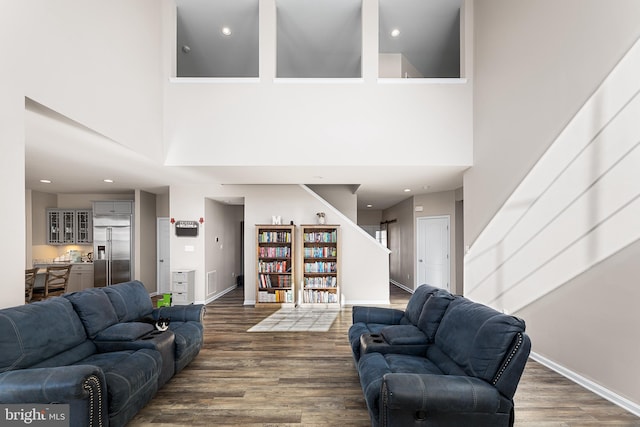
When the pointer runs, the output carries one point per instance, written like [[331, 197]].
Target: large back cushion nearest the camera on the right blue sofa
[[476, 337]]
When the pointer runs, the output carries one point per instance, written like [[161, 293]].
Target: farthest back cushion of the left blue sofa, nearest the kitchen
[[130, 300]]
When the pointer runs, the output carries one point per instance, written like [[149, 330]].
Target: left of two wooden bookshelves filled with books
[[275, 245]]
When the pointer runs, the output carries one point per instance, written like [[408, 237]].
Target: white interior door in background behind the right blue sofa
[[433, 261]]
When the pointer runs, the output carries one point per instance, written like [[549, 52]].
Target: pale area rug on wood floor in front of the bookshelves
[[298, 319]]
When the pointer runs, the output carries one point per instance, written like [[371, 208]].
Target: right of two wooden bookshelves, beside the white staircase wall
[[320, 265]]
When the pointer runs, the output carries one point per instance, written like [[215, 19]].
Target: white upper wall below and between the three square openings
[[432, 120]]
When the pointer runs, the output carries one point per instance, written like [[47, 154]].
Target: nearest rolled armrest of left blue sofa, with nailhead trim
[[63, 384]]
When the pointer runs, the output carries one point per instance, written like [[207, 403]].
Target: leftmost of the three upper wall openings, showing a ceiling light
[[217, 38]]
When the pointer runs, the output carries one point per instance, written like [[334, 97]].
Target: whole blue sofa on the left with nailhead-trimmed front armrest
[[88, 350]]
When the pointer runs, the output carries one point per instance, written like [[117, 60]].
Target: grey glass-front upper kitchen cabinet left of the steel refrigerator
[[69, 226]]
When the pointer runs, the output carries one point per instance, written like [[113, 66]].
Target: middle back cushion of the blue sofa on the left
[[94, 309]]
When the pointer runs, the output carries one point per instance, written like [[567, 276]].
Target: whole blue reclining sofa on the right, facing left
[[465, 373]]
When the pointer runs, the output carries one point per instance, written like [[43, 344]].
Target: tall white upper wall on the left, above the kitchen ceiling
[[98, 63]]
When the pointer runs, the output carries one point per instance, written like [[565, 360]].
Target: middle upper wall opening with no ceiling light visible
[[319, 39]]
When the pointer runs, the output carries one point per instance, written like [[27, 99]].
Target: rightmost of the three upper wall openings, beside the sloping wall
[[419, 38]]
